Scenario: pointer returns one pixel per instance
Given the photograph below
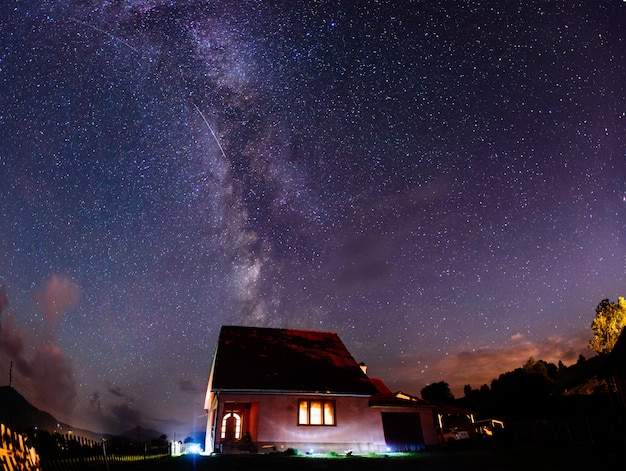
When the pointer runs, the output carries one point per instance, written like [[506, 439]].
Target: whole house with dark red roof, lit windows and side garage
[[279, 389]]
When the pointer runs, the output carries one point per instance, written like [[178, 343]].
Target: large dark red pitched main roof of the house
[[286, 360]]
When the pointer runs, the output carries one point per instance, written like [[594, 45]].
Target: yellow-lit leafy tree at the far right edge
[[608, 324]]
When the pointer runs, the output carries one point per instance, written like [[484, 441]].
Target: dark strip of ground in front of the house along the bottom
[[448, 460]]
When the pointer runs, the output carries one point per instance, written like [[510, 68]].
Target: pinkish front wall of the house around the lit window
[[358, 427]]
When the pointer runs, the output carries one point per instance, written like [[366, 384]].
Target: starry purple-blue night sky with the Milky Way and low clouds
[[443, 184]]
